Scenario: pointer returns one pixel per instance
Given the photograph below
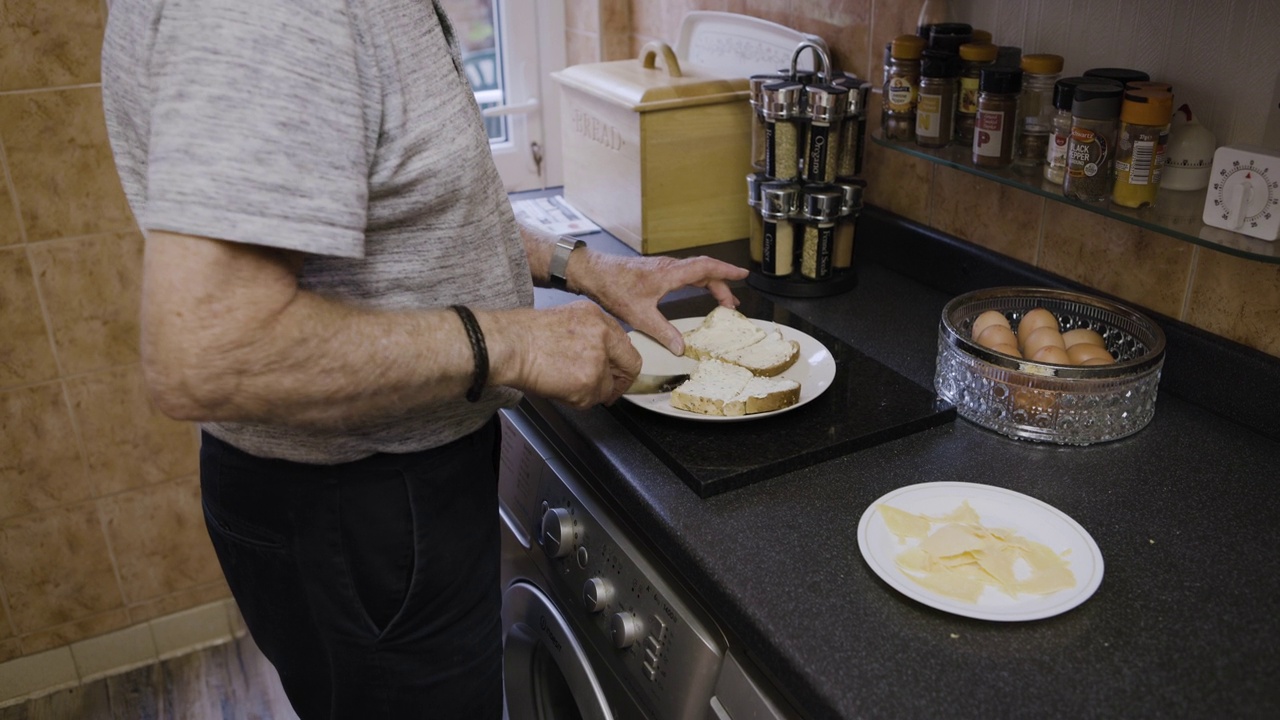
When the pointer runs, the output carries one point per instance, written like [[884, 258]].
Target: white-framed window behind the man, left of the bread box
[[510, 48]]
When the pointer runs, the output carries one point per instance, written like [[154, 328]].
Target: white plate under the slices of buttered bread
[[815, 371]]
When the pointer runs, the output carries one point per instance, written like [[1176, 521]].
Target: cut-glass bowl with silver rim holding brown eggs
[[1045, 402]]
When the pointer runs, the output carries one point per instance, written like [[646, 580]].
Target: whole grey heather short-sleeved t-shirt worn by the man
[[342, 129]]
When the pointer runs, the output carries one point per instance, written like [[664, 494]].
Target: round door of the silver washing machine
[[546, 672]]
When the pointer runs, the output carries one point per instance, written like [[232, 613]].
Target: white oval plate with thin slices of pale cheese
[[1030, 559]]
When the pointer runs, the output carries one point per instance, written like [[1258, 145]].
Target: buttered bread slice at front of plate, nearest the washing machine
[[723, 389]]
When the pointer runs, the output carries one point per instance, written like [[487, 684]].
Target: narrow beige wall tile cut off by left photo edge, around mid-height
[[26, 356]]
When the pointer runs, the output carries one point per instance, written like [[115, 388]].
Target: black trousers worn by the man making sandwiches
[[372, 586]]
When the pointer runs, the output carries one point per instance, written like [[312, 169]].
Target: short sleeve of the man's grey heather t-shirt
[[259, 131]]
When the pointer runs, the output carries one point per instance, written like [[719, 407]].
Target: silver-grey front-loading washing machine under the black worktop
[[593, 628]]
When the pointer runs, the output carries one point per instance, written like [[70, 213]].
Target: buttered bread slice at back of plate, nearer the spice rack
[[732, 336]]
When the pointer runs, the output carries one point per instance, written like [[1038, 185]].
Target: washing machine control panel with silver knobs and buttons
[[619, 603]]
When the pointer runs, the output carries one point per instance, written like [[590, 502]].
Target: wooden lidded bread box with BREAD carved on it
[[656, 157]]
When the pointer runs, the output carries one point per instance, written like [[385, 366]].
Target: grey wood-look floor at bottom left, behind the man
[[226, 682]]
